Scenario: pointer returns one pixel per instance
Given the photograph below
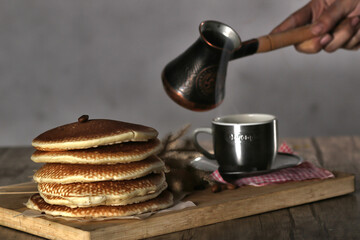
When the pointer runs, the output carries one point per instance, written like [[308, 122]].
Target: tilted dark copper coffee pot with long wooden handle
[[196, 78]]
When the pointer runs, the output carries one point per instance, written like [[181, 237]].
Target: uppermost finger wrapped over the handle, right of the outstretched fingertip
[[331, 16]]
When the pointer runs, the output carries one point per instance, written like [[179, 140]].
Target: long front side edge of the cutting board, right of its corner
[[130, 230]]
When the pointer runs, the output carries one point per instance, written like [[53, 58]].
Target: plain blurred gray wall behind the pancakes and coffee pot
[[62, 59]]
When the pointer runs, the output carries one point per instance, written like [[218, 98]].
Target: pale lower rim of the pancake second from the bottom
[[91, 201]]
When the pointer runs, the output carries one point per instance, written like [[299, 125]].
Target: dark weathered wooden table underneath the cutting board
[[336, 218]]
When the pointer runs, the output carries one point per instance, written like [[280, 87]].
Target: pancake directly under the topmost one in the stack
[[118, 153]]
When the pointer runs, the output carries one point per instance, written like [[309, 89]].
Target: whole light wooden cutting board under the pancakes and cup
[[211, 208]]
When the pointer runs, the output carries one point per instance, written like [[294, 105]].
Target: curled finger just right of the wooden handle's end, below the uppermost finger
[[341, 35]]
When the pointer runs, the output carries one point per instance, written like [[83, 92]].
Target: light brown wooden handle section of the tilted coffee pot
[[283, 39]]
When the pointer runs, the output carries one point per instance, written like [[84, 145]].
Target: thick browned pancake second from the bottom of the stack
[[101, 192]]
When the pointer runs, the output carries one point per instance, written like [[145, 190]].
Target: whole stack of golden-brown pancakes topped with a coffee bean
[[99, 168]]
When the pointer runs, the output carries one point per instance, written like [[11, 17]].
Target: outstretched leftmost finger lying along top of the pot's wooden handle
[[298, 18]]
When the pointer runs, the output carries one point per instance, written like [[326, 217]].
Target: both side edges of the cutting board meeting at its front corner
[[130, 230]]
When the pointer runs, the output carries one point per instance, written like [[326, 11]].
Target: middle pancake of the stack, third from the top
[[71, 173]]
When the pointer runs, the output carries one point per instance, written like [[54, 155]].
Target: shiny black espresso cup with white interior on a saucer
[[241, 142]]
